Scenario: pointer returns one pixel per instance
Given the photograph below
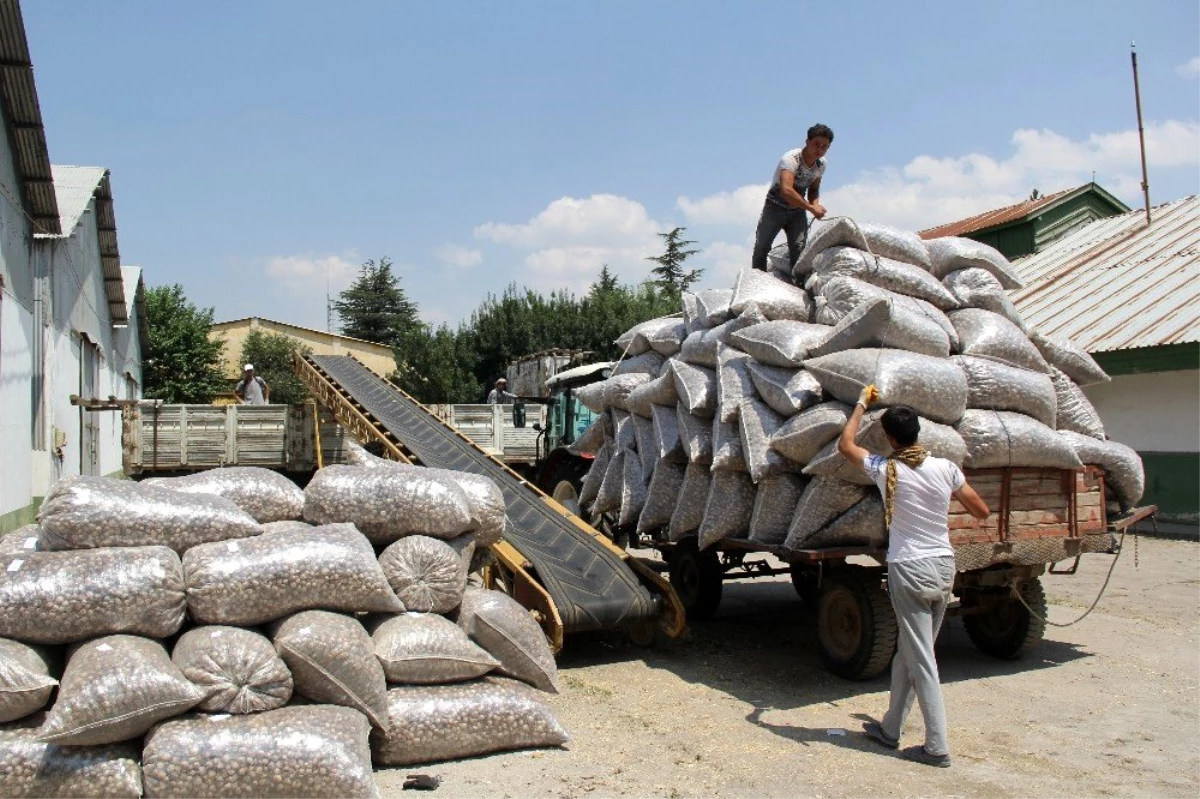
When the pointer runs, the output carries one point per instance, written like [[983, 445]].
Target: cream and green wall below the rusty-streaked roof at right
[[1159, 414]]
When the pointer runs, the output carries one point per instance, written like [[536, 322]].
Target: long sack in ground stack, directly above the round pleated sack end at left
[[256, 581]]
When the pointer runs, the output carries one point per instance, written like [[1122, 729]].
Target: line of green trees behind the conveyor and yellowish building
[[439, 364]]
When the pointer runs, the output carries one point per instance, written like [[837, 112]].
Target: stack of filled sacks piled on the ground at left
[[229, 634]]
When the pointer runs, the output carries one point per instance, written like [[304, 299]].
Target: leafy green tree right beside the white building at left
[[182, 364]]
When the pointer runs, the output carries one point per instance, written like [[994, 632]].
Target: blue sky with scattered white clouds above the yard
[[260, 149]]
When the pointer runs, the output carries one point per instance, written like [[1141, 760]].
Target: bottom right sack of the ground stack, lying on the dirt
[[445, 723]]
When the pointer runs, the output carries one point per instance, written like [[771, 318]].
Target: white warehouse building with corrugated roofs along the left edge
[[70, 316]]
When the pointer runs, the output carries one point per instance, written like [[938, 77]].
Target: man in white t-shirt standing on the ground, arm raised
[[917, 489]]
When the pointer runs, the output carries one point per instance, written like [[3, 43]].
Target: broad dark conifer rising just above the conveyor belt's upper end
[[375, 308]]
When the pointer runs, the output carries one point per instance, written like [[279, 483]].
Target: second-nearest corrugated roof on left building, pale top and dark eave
[[76, 188]]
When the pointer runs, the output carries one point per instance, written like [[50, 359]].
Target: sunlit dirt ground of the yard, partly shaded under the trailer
[[742, 707]]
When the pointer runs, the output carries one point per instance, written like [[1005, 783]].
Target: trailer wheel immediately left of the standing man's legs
[[856, 624]]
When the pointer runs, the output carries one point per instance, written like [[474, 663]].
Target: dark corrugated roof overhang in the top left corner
[[23, 118]]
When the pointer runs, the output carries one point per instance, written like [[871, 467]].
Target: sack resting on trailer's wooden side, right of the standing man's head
[[1001, 438]]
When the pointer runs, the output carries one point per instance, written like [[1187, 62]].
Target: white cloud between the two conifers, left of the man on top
[[573, 238]]
